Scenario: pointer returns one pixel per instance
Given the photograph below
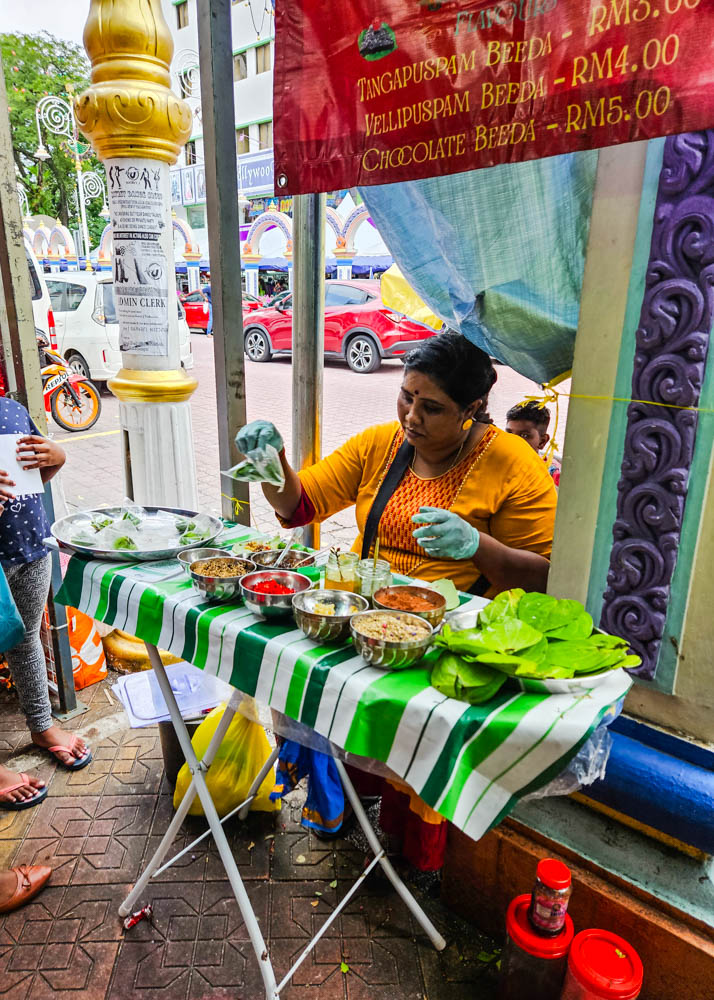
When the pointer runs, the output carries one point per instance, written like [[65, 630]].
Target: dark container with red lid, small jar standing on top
[[532, 966]]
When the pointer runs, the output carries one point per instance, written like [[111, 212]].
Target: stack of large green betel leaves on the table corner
[[521, 635]]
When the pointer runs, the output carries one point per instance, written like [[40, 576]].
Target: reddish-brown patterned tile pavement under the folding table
[[98, 826]]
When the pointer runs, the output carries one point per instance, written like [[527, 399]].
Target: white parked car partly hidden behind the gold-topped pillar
[[88, 326]]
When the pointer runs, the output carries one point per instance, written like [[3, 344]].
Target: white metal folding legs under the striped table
[[198, 769]]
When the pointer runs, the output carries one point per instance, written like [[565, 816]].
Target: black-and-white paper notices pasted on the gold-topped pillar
[[139, 199]]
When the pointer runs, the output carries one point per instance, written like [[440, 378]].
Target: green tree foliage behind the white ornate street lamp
[[36, 66]]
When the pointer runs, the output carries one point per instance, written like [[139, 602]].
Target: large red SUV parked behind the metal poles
[[359, 328]]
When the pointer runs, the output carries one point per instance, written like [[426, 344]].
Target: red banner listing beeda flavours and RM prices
[[375, 91]]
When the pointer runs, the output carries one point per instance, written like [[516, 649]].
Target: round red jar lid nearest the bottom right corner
[[606, 965]]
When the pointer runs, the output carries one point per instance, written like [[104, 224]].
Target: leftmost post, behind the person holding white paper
[[22, 358]]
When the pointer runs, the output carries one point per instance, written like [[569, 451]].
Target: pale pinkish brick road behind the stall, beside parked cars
[[93, 473]]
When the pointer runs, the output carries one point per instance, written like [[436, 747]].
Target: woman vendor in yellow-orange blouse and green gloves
[[447, 493]]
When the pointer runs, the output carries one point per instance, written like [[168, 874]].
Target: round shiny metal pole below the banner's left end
[[309, 214]]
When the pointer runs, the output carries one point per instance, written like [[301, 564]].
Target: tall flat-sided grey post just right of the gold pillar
[[223, 223]]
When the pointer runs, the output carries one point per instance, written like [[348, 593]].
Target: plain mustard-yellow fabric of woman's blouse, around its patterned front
[[507, 493]]
